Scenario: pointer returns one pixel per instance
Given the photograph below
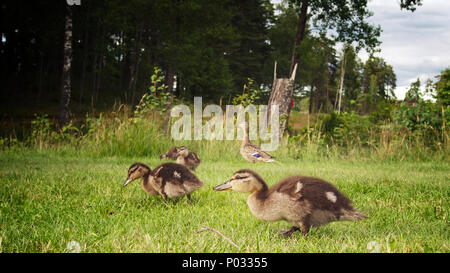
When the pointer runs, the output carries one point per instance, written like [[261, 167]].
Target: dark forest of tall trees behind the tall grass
[[208, 48]]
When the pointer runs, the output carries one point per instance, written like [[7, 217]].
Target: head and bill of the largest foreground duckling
[[243, 181]]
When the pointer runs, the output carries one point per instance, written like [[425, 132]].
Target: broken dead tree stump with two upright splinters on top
[[282, 95]]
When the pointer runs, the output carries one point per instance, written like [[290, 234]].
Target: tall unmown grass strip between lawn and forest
[[122, 132]]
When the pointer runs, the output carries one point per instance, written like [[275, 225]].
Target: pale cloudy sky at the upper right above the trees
[[416, 44]]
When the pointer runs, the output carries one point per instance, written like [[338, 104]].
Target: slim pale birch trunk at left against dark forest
[[64, 109]]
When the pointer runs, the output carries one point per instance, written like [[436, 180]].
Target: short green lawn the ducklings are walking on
[[50, 198]]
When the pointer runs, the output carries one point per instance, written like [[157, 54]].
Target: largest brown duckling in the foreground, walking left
[[300, 200]]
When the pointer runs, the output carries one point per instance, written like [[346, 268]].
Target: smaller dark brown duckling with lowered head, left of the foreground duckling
[[169, 180]]
